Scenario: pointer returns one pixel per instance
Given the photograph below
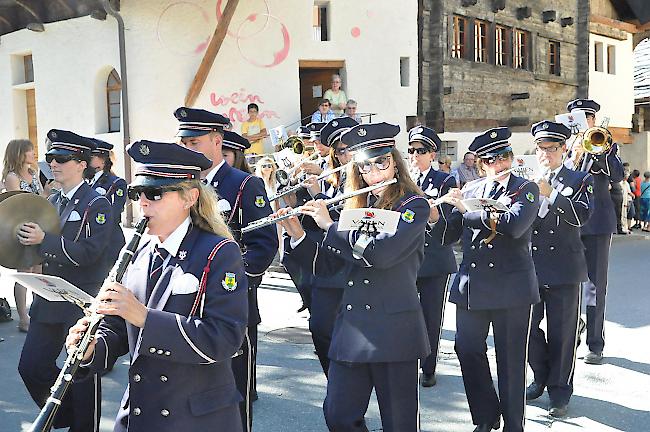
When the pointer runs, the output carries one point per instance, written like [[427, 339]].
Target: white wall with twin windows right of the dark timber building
[[614, 92]]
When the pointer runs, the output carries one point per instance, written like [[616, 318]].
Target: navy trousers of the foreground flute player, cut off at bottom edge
[[350, 385]]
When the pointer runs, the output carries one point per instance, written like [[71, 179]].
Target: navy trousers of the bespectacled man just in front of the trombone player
[[551, 354]]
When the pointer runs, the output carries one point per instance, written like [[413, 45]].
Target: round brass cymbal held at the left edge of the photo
[[17, 208]]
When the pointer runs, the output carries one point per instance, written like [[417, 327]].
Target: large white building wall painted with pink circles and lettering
[[165, 42]]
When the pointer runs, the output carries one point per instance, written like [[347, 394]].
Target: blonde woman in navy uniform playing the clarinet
[[181, 309]]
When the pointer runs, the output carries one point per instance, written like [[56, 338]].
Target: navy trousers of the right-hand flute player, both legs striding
[[510, 327]]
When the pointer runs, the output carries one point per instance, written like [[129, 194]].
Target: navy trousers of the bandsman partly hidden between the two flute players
[[433, 297]]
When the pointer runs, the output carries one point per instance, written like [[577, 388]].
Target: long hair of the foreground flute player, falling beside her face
[[392, 193]]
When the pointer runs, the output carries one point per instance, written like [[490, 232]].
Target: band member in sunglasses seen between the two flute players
[[439, 261]]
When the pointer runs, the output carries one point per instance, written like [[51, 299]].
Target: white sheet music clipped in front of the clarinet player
[[53, 288]]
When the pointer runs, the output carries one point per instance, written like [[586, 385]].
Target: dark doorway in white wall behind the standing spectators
[[315, 78]]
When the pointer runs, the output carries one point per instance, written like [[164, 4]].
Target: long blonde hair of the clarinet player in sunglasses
[[205, 212]]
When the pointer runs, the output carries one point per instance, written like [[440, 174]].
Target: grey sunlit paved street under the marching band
[[610, 397]]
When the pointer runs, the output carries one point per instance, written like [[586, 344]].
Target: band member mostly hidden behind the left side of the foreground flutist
[[326, 289]]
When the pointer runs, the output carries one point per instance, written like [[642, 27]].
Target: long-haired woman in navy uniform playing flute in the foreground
[[379, 333]]
